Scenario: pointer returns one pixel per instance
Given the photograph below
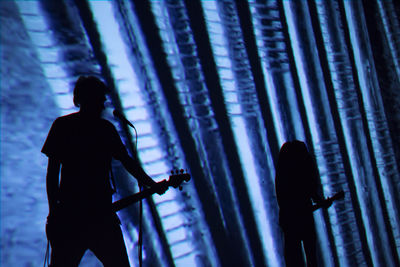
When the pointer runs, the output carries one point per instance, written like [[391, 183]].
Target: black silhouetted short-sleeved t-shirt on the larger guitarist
[[85, 147]]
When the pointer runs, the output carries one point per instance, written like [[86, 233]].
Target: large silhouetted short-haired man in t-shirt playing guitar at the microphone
[[82, 144]]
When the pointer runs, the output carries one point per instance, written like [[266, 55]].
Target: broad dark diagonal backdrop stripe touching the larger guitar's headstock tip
[[226, 251]]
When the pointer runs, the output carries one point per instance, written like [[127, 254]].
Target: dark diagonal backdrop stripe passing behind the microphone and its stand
[[95, 41]]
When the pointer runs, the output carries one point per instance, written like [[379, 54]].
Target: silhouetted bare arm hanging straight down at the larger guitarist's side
[[52, 178]]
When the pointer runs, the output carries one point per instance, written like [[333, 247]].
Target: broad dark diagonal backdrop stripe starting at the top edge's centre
[[211, 77]]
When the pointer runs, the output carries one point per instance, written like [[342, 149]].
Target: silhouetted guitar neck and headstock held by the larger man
[[175, 180]]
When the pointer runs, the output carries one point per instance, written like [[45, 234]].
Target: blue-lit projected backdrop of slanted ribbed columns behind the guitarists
[[213, 87]]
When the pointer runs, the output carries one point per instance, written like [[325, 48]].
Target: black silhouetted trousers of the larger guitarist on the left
[[104, 239]]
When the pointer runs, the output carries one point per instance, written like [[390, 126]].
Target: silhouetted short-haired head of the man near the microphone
[[90, 95]]
